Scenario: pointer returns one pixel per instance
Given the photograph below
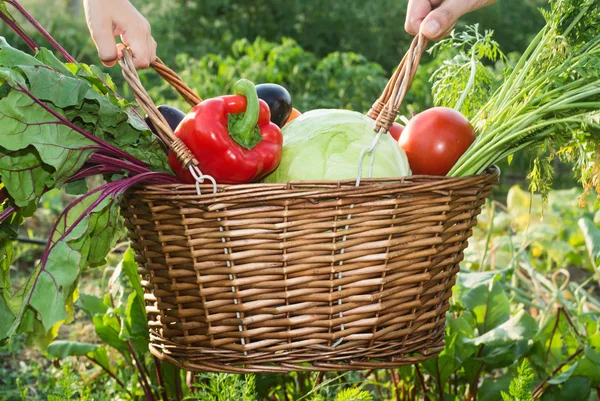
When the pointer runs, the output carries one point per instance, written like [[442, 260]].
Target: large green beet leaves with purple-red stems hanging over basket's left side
[[60, 124]]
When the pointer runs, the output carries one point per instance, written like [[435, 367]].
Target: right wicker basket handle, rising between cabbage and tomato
[[385, 109]]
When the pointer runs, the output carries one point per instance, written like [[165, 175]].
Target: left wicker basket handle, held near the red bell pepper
[[162, 128]]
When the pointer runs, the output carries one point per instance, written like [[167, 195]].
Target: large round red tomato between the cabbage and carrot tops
[[435, 139]]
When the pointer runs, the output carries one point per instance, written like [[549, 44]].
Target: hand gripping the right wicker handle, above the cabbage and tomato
[[436, 18]]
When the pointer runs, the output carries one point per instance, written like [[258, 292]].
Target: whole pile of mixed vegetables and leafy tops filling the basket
[[61, 123]]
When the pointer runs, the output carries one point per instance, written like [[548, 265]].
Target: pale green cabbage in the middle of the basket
[[326, 144]]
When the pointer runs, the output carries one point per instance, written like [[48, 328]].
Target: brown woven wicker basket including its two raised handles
[[304, 275]]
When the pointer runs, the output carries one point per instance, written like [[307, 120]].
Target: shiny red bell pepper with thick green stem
[[232, 138]]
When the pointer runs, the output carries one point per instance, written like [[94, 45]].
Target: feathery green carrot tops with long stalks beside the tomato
[[549, 101]]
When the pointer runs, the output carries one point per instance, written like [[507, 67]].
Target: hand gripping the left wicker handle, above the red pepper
[[109, 18]]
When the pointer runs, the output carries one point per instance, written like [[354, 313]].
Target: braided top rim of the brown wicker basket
[[492, 174]]
